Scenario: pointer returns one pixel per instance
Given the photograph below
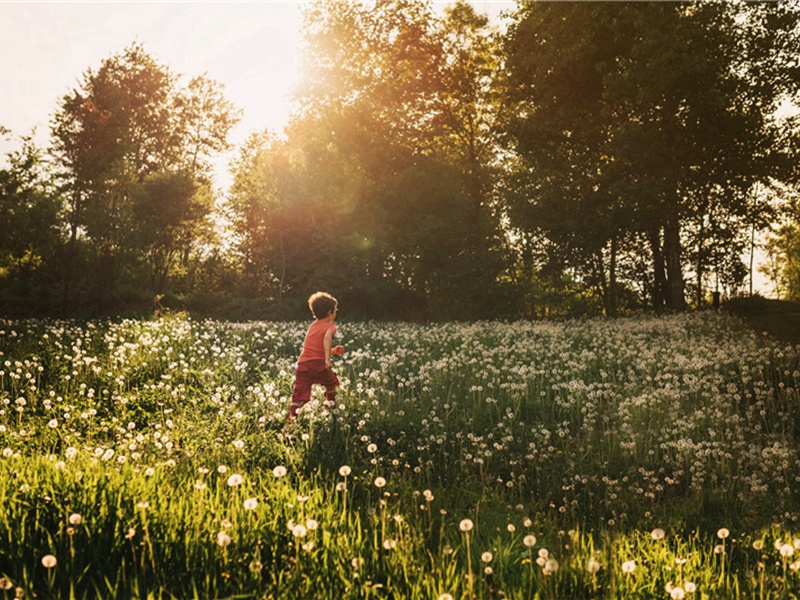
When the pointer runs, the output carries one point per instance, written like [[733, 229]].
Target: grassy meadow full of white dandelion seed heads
[[643, 457]]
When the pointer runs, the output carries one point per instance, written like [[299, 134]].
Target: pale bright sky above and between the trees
[[252, 48]]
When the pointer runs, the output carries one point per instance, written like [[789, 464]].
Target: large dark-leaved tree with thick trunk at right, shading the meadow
[[644, 113]]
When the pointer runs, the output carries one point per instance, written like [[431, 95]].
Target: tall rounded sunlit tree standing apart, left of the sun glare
[[127, 127]]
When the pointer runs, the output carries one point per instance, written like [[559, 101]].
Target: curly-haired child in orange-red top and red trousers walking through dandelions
[[314, 364]]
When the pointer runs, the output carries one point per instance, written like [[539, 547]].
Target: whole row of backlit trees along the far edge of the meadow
[[592, 158]]
